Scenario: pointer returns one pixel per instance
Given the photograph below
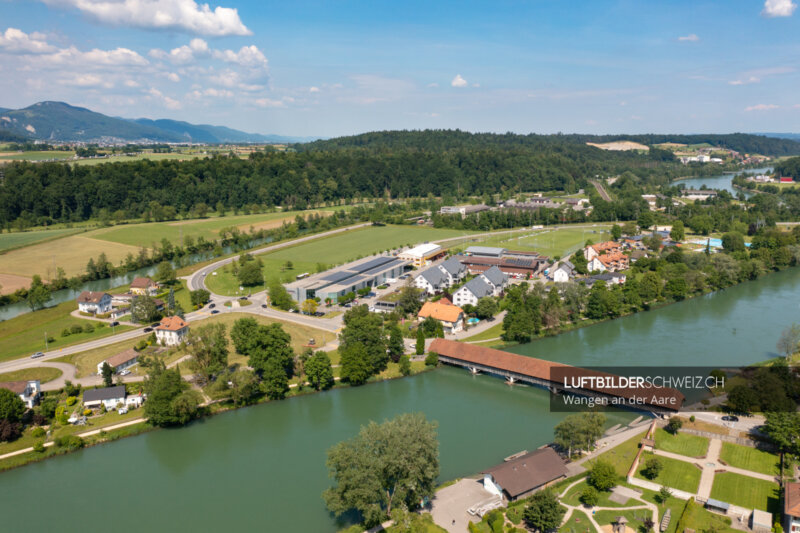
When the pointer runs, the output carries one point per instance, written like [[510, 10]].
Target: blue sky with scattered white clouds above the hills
[[326, 68]]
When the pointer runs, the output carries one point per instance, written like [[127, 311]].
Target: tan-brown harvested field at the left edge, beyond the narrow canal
[[70, 253]]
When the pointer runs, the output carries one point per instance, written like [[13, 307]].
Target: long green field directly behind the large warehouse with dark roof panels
[[327, 251]]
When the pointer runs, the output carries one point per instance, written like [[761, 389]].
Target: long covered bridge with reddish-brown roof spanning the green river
[[603, 388]]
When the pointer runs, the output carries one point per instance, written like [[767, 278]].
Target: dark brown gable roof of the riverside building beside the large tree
[[528, 471]]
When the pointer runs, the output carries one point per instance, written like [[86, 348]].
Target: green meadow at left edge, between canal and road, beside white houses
[[25, 334]]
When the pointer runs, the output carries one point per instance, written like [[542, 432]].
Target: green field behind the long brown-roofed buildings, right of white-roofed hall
[[549, 242]]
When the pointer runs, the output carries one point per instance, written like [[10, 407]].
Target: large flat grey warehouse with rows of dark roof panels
[[350, 277]]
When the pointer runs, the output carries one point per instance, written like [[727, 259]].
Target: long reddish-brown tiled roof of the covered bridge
[[662, 397]]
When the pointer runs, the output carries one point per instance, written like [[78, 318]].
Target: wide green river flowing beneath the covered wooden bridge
[[263, 467]]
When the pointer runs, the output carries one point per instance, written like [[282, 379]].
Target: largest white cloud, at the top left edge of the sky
[[186, 15]]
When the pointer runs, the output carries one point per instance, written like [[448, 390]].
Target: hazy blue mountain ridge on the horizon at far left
[[57, 121]]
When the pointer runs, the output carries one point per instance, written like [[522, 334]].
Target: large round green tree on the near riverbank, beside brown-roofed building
[[388, 465]]
